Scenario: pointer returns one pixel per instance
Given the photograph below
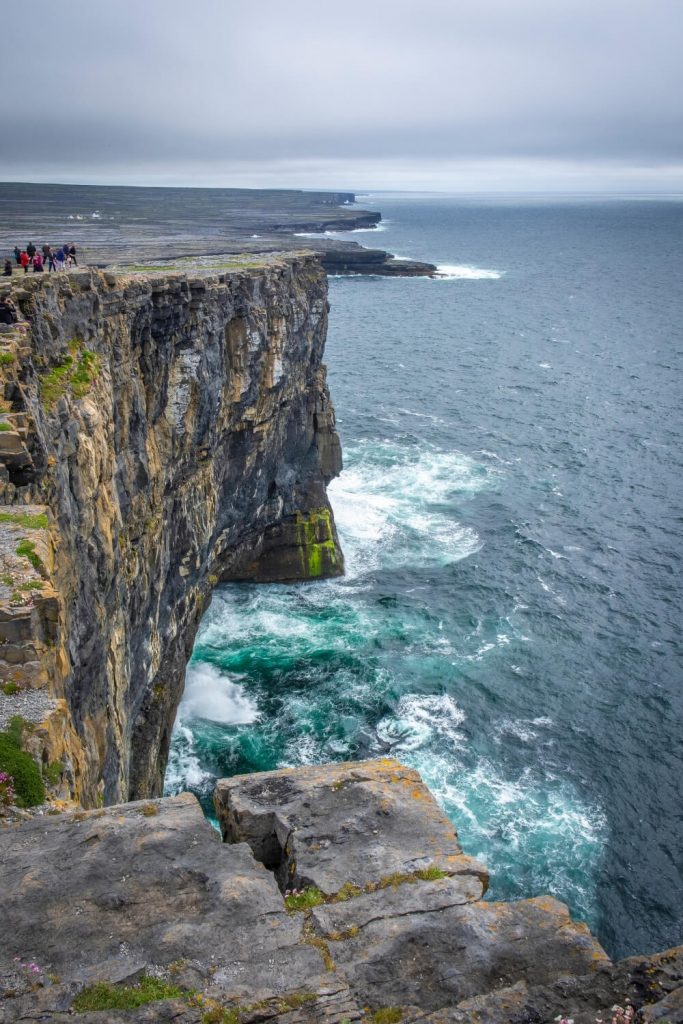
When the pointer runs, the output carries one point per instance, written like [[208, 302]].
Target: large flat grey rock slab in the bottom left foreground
[[106, 895]]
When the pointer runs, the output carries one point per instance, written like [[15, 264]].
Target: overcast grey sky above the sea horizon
[[445, 95]]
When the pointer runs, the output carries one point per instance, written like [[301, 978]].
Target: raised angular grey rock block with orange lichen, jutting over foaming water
[[359, 823]]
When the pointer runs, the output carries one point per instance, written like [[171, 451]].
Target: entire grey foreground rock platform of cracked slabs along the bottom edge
[[146, 894]]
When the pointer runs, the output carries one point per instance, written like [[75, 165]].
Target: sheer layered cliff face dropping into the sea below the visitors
[[182, 434]]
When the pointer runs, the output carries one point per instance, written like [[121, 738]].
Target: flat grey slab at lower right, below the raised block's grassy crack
[[451, 950]]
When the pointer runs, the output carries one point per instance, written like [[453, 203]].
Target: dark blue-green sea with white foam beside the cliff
[[511, 517]]
